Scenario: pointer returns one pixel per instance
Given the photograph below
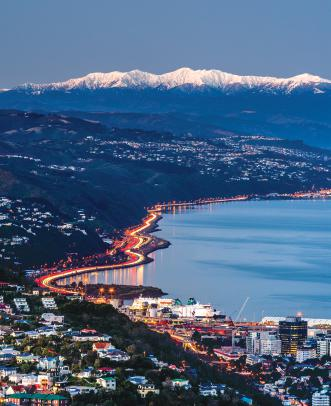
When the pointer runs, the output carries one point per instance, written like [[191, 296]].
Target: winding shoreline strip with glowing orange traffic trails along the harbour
[[137, 241]]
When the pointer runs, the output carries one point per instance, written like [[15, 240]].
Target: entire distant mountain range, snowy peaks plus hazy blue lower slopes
[[194, 101]]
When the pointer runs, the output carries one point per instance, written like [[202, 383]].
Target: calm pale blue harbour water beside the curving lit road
[[277, 253]]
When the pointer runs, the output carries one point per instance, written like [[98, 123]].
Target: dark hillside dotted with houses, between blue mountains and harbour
[[113, 173]]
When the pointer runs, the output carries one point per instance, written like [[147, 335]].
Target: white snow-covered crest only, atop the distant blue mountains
[[184, 77]]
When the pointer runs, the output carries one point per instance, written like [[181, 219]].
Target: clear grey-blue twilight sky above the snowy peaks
[[46, 40]]
